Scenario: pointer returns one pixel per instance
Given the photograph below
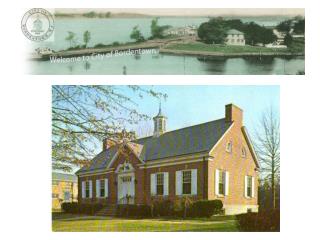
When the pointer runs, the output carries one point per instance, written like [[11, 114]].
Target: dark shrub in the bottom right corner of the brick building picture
[[266, 221]]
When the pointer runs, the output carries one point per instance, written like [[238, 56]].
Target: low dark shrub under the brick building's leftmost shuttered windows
[[83, 208]]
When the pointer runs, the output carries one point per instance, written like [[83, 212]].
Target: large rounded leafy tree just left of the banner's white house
[[213, 31]]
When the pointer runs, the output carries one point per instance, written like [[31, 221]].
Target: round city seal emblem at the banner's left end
[[37, 24]]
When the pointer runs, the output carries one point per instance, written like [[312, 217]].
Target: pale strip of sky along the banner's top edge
[[193, 11]]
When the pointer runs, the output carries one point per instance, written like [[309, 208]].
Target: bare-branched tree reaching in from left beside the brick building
[[82, 116]]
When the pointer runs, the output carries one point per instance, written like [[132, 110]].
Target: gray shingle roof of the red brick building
[[193, 139]]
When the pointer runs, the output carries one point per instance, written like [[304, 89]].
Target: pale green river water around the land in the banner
[[107, 31]]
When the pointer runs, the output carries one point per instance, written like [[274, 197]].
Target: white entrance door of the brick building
[[126, 189]]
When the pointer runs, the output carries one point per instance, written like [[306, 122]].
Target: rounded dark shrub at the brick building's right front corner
[[205, 208]]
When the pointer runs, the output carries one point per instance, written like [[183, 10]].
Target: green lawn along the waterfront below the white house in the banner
[[226, 48]]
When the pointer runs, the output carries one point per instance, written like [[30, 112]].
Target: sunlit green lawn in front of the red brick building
[[76, 223]]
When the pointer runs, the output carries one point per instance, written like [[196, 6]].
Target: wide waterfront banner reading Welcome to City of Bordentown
[[165, 41]]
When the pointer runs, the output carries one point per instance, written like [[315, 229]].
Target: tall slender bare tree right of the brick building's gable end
[[267, 145]]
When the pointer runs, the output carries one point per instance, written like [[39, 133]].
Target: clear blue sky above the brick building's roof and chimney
[[190, 105]]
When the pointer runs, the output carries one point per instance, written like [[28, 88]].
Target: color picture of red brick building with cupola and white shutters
[[145, 158]]
